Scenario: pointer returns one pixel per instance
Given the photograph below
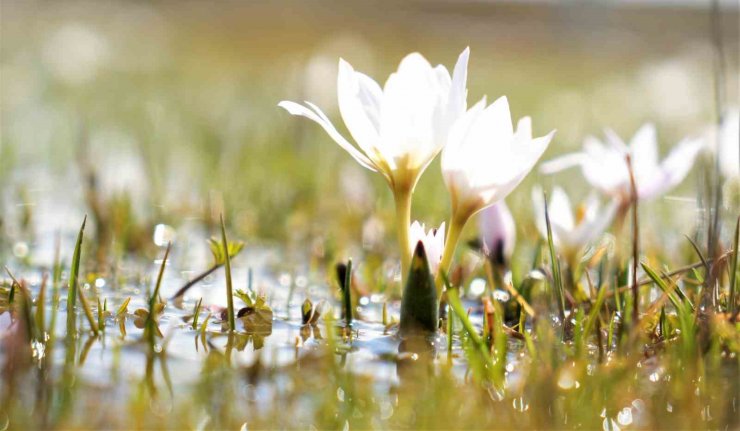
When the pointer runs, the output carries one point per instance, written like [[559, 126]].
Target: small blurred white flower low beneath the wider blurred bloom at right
[[571, 233]]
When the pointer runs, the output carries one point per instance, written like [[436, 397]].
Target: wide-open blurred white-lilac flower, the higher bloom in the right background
[[604, 165]]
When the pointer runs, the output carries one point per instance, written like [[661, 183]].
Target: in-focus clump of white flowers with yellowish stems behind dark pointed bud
[[421, 110]]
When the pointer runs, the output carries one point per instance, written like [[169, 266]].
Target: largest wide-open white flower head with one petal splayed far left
[[400, 128]]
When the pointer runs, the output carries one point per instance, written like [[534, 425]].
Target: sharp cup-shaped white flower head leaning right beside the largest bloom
[[485, 159]]
